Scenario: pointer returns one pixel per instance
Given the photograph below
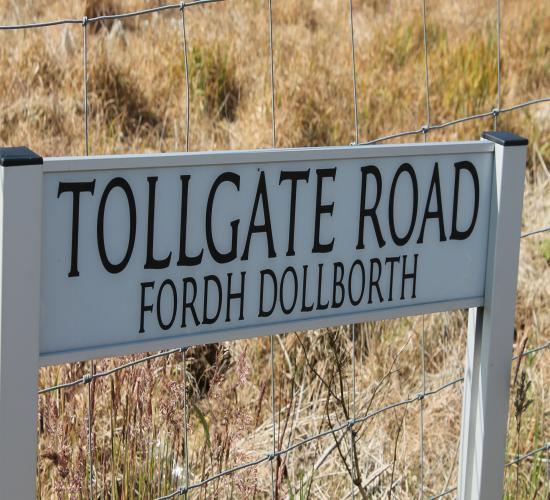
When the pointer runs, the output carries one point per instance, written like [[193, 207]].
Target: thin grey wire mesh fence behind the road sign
[[347, 426]]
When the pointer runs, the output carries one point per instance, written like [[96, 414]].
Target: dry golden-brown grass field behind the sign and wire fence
[[137, 104]]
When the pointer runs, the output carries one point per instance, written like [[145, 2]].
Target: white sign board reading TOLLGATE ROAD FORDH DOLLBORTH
[[143, 252]]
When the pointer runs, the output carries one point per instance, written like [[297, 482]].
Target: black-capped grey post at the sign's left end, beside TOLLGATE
[[20, 238]]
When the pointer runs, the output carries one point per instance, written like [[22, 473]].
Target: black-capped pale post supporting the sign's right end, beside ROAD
[[491, 331]]
